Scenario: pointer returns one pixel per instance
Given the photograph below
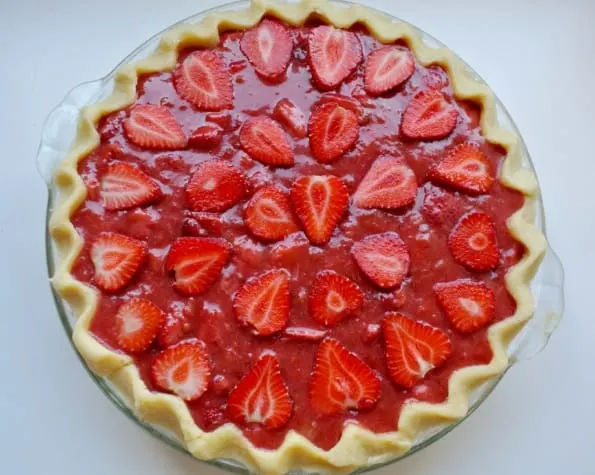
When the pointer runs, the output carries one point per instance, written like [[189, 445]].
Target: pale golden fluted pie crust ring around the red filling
[[357, 447]]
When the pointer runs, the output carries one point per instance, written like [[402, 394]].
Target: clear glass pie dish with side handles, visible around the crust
[[546, 286]]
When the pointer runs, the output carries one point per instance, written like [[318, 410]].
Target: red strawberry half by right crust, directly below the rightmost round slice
[[467, 304]]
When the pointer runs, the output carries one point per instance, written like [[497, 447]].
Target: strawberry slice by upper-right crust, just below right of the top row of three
[[429, 116]]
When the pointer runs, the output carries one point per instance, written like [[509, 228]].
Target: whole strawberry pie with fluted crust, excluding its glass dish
[[296, 237]]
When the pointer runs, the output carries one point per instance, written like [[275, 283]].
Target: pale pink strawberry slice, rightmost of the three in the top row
[[387, 68]]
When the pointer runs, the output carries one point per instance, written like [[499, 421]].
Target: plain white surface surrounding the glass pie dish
[[537, 55]]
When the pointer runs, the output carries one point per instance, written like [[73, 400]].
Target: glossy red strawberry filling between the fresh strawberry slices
[[424, 226]]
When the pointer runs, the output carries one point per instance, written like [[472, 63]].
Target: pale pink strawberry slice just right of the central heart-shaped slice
[[389, 184]]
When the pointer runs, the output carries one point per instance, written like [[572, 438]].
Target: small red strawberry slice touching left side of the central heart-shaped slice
[[268, 214]]
